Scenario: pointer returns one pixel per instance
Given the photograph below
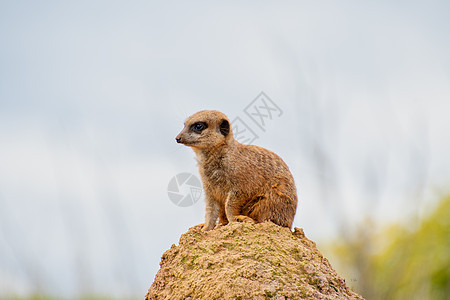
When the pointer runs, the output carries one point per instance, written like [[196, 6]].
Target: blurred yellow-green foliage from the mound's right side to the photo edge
[[401, 261]]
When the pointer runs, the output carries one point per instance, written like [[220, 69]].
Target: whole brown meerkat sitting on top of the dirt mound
[[241, 182]]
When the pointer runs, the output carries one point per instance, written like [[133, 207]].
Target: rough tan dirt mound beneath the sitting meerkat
[[247, 261]]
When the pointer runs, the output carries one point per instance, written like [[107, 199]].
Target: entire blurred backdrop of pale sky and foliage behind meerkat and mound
[[93, 93]]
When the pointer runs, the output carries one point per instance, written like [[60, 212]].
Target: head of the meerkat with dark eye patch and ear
[[206, 129]]
